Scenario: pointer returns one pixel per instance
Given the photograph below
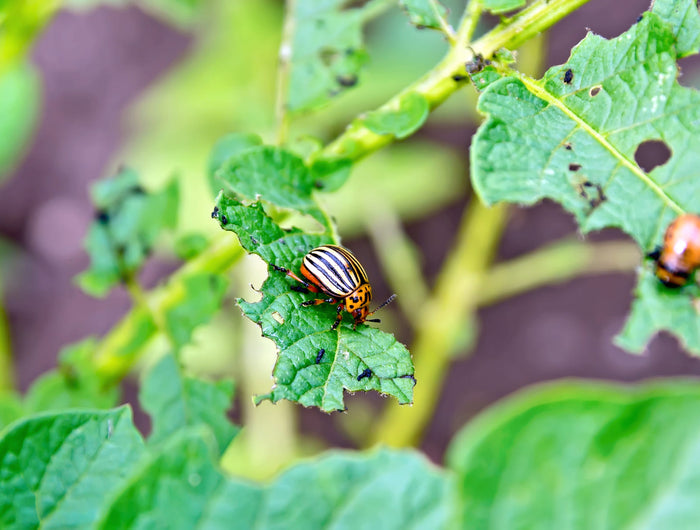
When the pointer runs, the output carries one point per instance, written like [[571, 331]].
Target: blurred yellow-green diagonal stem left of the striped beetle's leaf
[[125, 342]]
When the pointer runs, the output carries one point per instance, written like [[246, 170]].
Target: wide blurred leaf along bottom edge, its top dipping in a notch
[[181, 488]]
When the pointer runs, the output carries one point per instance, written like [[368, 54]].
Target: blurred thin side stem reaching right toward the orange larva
[[556, 263]]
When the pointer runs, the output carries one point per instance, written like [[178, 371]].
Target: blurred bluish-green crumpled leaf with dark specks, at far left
[[125, 229]]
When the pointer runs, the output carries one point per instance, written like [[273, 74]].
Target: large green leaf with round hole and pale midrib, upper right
[[572, 136]]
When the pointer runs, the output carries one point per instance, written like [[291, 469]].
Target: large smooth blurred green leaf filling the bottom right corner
[[582, 455]]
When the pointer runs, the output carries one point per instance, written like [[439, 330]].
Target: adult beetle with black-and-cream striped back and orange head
[[334, 271]]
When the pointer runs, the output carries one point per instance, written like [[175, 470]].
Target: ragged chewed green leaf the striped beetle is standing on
[[315, 363]]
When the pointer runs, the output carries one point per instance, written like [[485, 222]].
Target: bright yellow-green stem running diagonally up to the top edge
[[437, 85]]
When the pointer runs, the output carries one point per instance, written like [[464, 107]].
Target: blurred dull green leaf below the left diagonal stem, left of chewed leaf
[[176, 402]]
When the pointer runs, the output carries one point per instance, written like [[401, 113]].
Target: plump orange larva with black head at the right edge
[[679, 256]]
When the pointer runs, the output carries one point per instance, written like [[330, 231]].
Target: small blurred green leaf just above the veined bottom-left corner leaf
[[75, 384]]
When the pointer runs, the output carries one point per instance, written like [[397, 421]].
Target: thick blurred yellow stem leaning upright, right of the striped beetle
[[444, 315]]
